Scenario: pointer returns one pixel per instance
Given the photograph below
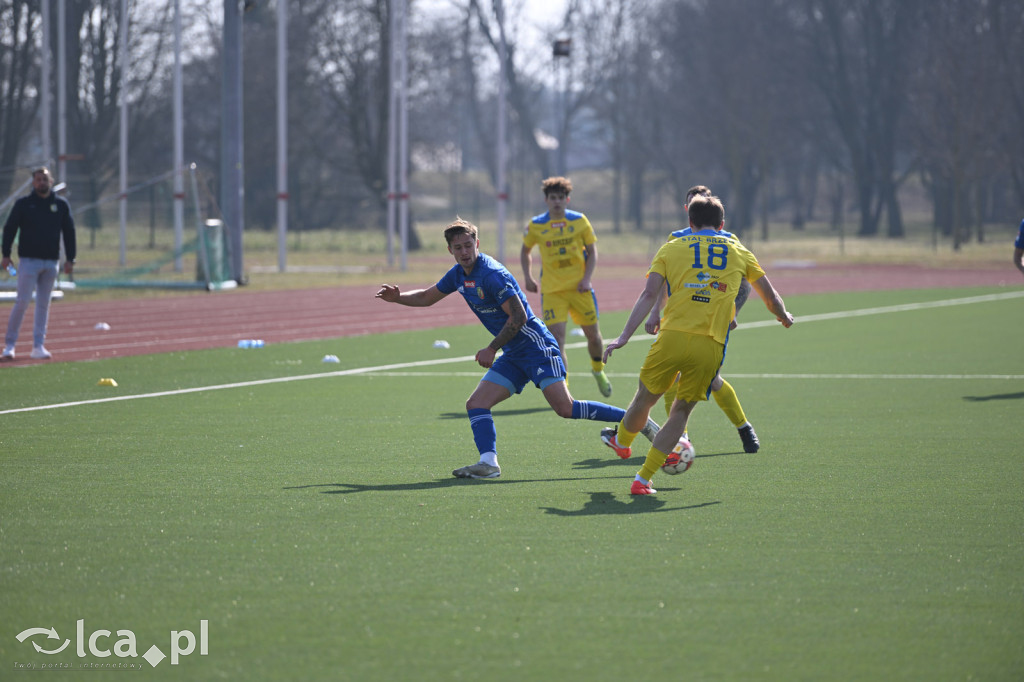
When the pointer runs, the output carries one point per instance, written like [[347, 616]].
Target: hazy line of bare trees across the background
[[789, 109]]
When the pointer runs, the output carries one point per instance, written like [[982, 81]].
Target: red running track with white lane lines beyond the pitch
[[201, 320]]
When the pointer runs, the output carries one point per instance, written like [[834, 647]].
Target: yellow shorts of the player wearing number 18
[[697, 359]]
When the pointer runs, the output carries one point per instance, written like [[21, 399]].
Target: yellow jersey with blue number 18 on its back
[[703, 271]]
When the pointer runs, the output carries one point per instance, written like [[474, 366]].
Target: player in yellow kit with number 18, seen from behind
[[703, 272]]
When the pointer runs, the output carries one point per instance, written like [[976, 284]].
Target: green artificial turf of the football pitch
[[312, 521]]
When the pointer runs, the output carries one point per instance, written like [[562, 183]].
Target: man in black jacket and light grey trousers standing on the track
[[42, 219]]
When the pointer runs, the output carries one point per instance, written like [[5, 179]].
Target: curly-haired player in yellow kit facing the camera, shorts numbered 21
[[569, 257]]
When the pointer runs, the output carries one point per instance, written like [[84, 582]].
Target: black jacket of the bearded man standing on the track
[[42, 222]]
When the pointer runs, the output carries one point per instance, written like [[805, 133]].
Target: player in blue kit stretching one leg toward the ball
[[530, 353]]
